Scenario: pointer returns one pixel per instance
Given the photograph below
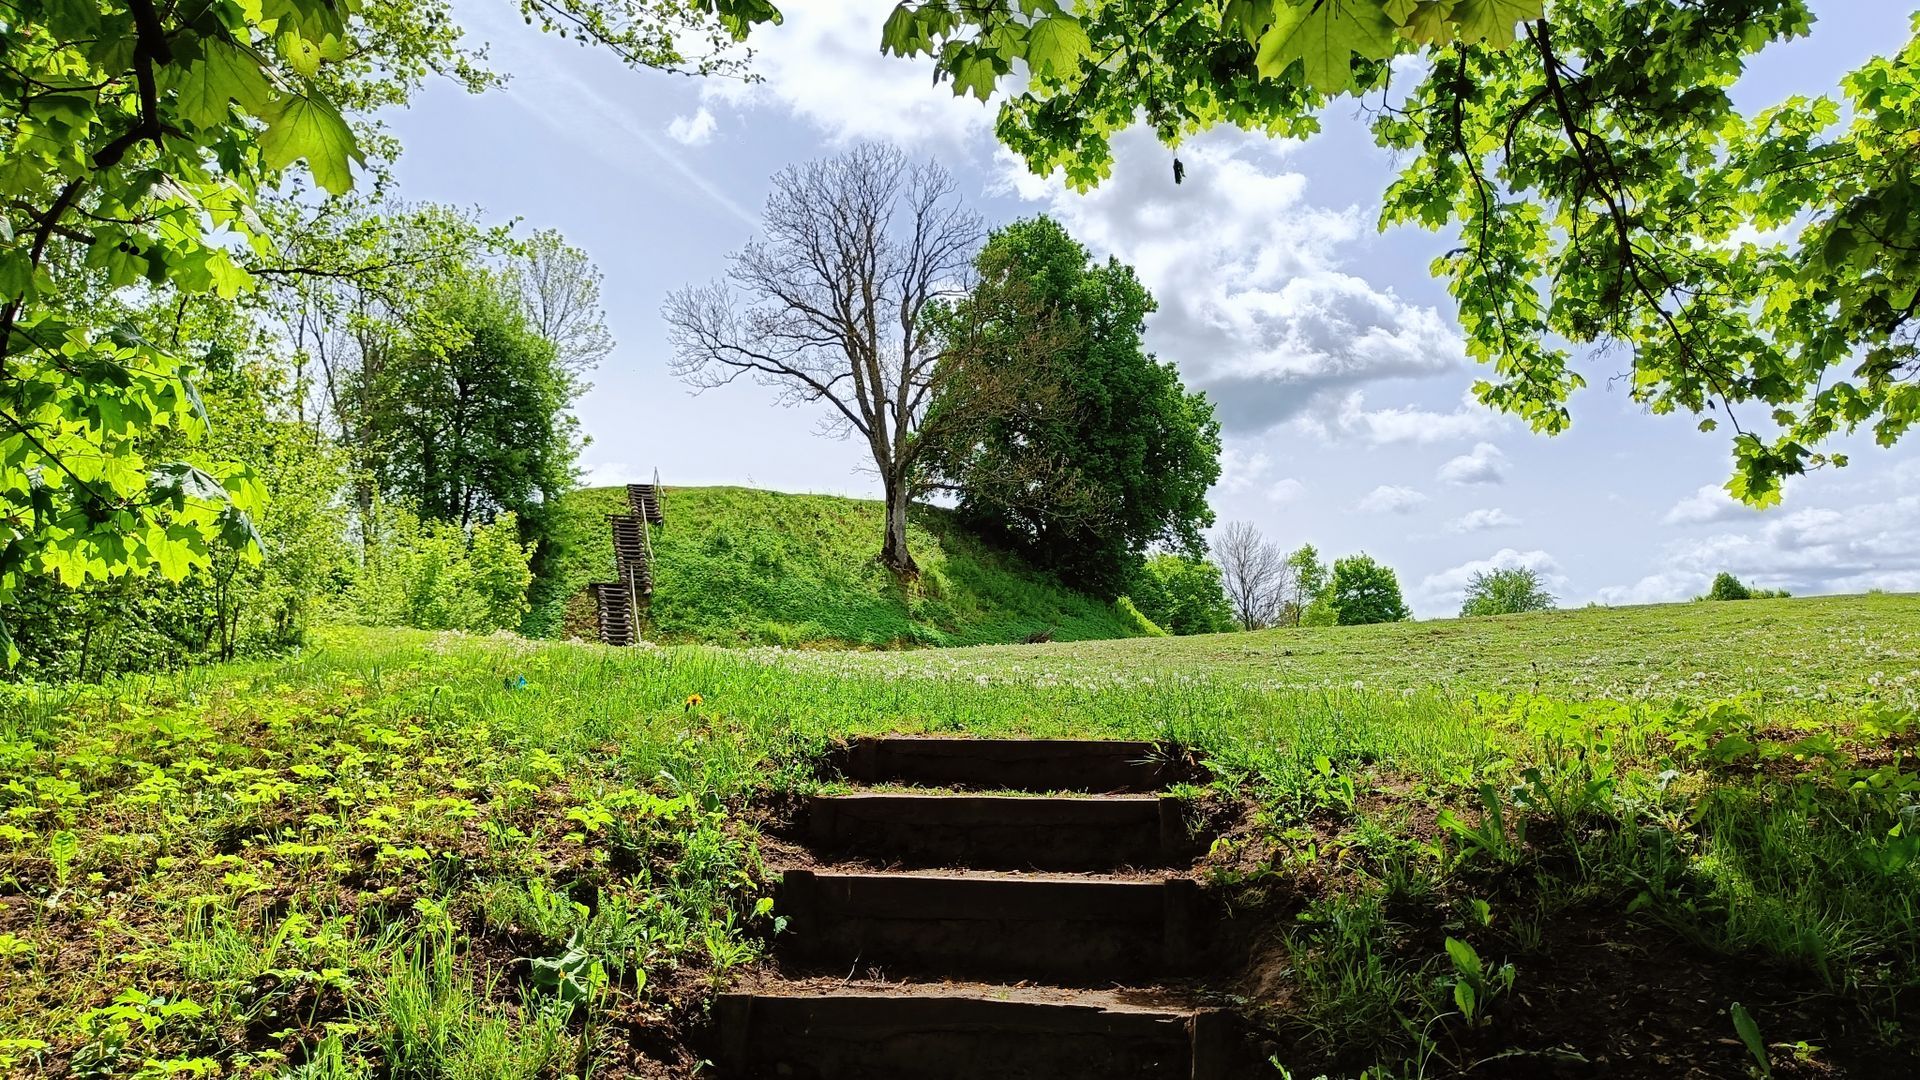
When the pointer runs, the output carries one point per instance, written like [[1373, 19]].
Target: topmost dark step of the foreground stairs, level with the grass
[[1015, 764]]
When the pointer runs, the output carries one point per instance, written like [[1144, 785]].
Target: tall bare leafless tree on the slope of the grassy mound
[[832, 307]]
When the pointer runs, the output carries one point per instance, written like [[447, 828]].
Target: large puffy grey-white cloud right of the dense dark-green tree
[[1255, 303]]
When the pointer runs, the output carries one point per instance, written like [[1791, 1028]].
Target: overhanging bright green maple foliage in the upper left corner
[[139, 141]]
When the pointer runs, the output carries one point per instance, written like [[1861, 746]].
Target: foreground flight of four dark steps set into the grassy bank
[[953, 935]]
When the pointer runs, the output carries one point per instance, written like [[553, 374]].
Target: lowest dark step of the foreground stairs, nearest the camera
[[951, 1033]]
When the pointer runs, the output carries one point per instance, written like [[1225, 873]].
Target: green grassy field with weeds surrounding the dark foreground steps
[[412, 854]]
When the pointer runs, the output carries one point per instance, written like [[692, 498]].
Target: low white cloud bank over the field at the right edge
[[1812, 551]]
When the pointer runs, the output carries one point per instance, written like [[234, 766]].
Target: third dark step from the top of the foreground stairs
[[974, 925]]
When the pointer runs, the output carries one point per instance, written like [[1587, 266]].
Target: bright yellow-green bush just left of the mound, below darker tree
[[437, 576]]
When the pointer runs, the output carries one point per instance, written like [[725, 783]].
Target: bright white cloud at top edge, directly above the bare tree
[[825, 66]]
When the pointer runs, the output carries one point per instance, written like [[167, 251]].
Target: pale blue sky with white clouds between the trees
[[1333, 356]]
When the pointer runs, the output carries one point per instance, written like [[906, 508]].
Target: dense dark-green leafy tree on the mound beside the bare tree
[[1059, 431]]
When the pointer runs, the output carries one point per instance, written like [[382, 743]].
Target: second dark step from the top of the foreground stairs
[[1001, 833]]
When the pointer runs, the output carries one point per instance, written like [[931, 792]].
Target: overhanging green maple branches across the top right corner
[[1587, 155]]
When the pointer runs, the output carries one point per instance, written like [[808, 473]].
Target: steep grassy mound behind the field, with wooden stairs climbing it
[[738, 566]]
